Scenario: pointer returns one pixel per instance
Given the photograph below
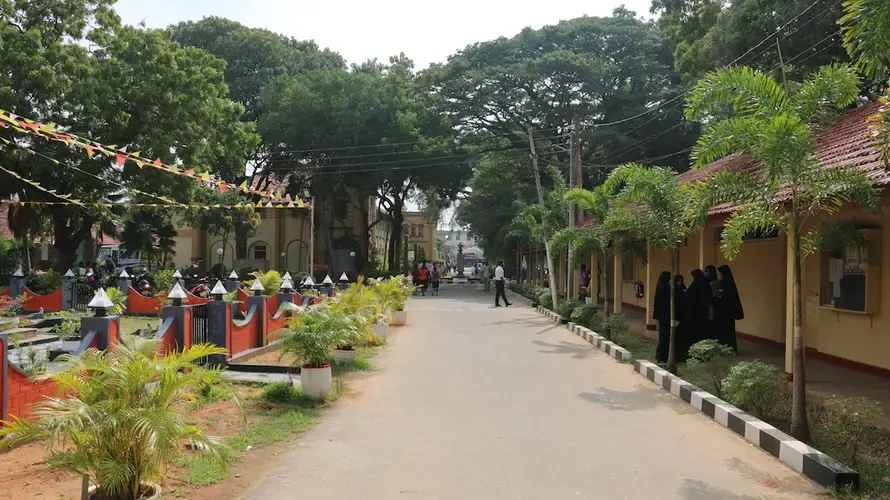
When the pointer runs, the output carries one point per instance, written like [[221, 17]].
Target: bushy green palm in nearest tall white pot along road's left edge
[[309, 337]]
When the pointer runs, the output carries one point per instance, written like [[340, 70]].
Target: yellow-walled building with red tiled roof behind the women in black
[[846, 296]]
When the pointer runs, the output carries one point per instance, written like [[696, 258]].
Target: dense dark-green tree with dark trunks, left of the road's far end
[[368, 131]]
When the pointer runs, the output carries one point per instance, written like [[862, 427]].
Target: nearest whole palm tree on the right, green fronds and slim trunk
[[775, 125]]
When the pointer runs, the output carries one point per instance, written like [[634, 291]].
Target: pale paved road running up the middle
[[473, 402]]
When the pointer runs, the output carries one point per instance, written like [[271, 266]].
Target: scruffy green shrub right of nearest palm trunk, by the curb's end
[[845, 423]]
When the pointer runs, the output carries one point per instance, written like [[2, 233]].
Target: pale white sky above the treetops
[[360, 29]]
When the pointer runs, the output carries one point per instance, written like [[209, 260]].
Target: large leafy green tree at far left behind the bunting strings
[[70, 62]]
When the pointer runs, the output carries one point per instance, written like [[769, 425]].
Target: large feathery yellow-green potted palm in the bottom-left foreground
[[123, 420]]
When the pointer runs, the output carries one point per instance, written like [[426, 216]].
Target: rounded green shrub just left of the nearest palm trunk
[[756, 387]]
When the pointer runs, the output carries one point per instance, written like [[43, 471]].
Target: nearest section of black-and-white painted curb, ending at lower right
[[810, 462]]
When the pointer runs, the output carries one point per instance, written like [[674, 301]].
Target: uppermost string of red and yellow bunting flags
[[52, 132]]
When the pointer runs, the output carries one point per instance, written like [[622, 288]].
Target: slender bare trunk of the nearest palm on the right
[[800, 428]]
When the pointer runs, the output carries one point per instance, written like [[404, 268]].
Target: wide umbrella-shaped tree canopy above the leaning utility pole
[[601, 69]]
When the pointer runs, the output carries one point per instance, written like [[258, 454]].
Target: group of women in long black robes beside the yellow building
[[707, 309]]
